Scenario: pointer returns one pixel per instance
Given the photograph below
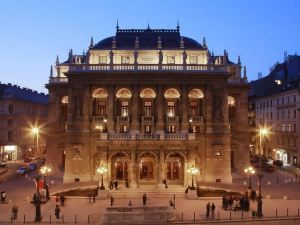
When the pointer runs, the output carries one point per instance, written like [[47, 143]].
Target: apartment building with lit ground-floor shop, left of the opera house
[[21, 110]]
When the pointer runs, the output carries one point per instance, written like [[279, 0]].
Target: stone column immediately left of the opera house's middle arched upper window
[[134, 128]]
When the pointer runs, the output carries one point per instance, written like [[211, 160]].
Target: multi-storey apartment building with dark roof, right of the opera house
[[274, 102]]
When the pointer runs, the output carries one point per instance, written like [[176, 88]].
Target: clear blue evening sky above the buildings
[[33, 32]]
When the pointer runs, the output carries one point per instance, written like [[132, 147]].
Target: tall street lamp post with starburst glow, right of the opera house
[[262, 132]]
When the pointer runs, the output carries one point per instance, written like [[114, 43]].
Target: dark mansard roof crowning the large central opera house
[[148, 39]]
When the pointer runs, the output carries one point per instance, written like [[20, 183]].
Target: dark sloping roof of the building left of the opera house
[[14, 92]]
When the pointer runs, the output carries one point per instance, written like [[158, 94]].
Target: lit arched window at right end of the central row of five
[[196, 102]]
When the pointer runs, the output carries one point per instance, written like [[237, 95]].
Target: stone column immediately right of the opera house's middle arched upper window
[[159, 110]]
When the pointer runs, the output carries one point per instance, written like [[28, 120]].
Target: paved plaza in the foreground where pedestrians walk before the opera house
[[283, 197]]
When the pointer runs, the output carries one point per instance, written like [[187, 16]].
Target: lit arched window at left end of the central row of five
[[99, 102]]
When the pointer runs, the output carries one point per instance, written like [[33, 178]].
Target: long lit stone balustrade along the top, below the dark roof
[[148, 67]]
